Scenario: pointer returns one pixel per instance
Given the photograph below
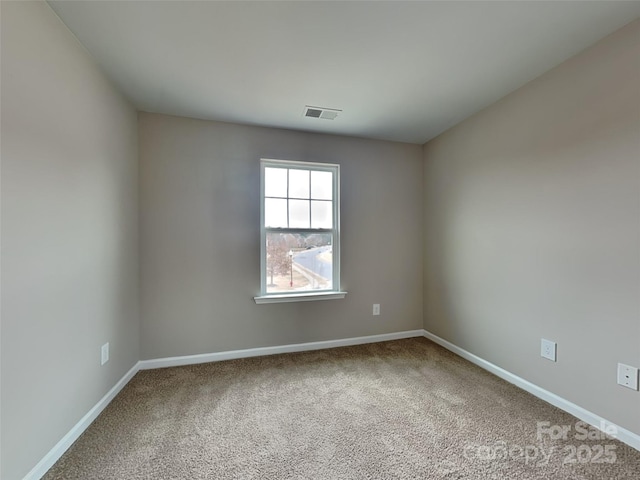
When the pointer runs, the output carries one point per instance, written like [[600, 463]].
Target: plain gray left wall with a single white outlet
[[69, 234]]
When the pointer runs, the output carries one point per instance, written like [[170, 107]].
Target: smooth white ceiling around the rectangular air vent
[[402, 71]]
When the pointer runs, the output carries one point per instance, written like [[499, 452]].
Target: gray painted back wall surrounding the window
[[200, 239]]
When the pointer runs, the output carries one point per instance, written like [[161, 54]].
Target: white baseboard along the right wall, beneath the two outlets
[[630, 438]]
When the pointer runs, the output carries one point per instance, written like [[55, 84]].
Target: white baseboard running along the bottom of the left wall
[[56, 452]]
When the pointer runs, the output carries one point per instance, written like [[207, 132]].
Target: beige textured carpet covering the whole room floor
[[405, 409]]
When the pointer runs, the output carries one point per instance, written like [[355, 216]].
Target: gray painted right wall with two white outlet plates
[[533, 229]]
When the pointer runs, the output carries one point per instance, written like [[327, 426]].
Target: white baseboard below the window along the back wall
[[262, 351]]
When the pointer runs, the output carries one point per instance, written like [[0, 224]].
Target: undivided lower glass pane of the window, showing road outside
[[309, 267]]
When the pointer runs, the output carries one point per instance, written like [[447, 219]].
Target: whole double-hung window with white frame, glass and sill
[[300, 234]]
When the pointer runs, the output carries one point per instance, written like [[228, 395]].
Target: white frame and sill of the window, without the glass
[[327, 294]]
